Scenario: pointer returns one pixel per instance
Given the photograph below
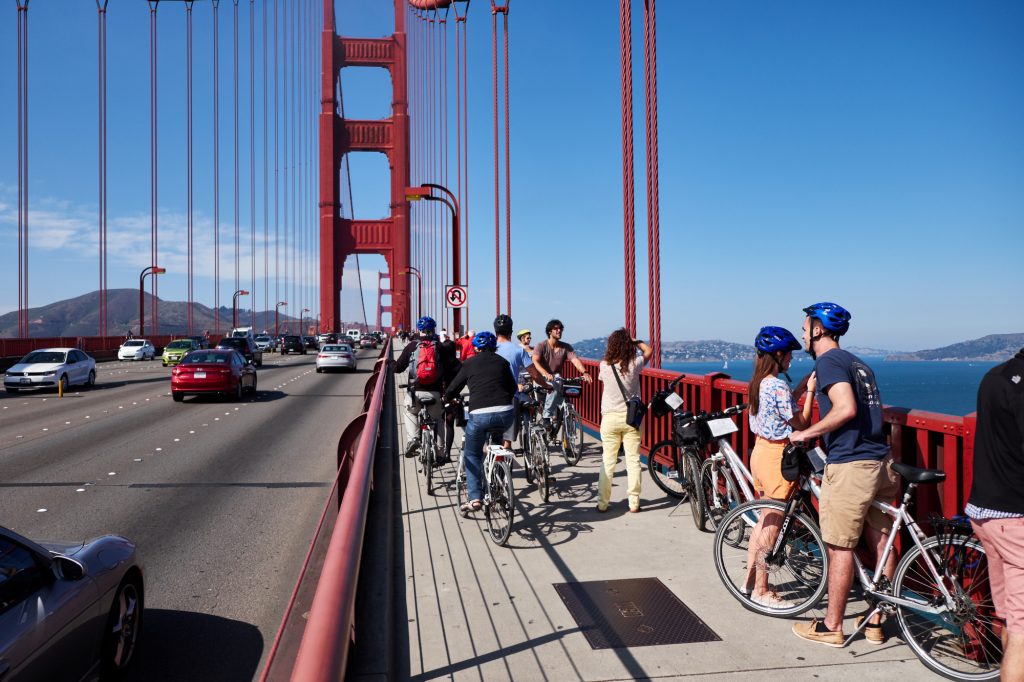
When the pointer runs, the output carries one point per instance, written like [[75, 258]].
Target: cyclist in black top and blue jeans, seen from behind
[[492, 391]]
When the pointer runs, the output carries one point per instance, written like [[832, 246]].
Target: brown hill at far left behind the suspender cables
[[80, 317]]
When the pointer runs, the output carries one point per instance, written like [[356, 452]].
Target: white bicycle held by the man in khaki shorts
[[940, 591]]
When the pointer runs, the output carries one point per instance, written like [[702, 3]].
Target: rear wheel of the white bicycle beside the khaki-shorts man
[[964, 642]]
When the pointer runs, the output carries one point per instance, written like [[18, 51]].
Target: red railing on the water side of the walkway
[[919, 439]]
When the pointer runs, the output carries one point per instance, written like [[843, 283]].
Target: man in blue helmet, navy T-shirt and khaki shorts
[[858, 467]]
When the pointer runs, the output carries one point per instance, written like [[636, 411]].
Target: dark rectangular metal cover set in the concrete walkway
[[638, 612]]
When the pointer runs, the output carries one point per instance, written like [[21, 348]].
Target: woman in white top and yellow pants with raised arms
[[622, 359]]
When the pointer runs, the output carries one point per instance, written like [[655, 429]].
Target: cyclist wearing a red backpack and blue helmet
[[430, 367]]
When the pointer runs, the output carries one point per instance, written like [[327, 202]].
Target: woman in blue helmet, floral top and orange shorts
[[774, 416]]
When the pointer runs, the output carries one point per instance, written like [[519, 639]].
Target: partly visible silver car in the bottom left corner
[[68, 610]]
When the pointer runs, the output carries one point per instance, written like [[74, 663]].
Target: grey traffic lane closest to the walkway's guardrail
[[223, 525]]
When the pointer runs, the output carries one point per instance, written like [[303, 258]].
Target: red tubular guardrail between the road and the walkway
[[327, 633]]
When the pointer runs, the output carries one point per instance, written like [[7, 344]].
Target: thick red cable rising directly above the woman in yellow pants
[[629, 209]]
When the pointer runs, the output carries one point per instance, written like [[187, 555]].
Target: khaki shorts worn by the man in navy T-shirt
[[847, 492]]
